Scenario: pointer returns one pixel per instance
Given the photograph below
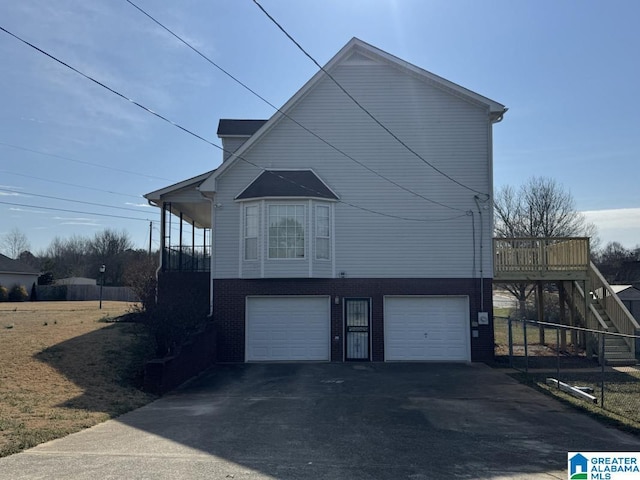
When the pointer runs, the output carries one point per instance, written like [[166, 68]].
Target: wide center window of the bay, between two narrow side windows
[[286, 231]]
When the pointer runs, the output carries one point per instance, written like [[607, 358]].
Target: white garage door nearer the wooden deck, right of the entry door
[[426, 328]]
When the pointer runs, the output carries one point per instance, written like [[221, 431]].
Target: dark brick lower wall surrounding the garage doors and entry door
[[229, 308]]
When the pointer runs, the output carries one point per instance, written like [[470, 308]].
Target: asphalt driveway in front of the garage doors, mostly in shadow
[[332, 421]]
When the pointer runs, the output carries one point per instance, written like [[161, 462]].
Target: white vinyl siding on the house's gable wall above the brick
[[449, 132]]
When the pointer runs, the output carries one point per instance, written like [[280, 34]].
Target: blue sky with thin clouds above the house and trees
[[567, 71]]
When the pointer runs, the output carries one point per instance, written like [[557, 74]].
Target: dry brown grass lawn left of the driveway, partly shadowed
[[65, 366]]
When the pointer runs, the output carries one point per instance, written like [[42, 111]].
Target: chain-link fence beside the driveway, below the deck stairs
[[597, 367]]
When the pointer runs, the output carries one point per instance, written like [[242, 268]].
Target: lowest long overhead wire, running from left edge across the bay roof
[[186, 130]]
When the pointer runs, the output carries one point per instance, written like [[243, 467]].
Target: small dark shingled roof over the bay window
[[287, 183]]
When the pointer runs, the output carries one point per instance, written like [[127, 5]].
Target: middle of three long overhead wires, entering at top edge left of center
[[249, 89]]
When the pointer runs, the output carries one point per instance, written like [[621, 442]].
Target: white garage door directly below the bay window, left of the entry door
[[287, 328]]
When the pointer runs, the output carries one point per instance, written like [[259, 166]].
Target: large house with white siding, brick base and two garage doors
[[343, 244]]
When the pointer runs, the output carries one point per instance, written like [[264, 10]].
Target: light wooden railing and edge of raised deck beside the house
[[540, 259]]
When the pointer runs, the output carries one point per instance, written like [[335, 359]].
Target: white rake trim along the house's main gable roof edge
[[358, 51]]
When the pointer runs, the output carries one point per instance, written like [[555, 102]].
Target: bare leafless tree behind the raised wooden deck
[[541, 207]]
